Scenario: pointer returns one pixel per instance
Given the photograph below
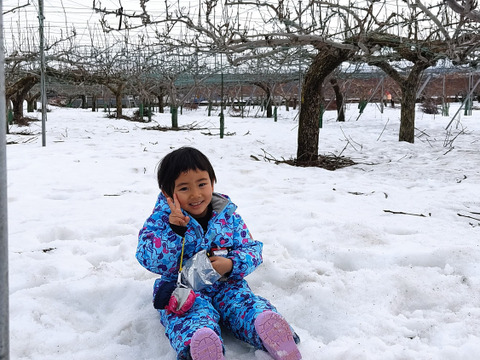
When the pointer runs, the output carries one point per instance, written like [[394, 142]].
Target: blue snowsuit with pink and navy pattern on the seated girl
[[230, 302]]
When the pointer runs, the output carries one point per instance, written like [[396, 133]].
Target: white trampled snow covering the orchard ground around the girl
[[370, 261]]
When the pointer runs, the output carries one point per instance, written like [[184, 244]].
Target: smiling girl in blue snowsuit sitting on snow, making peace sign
[[188, 218]]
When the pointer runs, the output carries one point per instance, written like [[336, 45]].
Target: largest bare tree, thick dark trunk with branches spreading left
[[218, 27]]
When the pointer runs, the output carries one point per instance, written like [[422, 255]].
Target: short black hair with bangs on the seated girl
[[179, 161]]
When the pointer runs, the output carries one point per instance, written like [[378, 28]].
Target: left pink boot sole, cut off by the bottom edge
[[206, 345]]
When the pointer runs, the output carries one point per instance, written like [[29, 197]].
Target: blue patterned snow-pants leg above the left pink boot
[[181, 329]]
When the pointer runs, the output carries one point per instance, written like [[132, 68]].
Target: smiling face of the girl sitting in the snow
[[194, 190]]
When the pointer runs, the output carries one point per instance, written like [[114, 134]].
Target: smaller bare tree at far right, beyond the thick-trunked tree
[[429, 35]]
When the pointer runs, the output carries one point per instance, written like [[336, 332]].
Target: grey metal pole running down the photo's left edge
[[4, 303]]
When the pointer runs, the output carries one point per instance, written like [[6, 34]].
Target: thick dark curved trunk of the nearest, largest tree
[[324, 63]]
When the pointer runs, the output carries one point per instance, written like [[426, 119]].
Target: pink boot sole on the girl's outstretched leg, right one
[[276, 336]]
